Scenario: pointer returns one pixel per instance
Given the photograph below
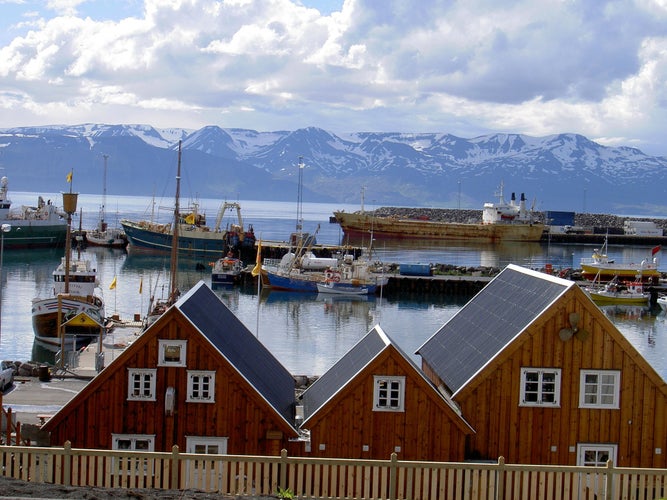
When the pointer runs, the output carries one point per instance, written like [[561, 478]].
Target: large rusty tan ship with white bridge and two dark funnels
[[501, 222]]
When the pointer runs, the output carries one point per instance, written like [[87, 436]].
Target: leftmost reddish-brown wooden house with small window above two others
[[196, 378]]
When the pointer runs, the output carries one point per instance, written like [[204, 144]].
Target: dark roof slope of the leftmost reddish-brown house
[[240, 347]]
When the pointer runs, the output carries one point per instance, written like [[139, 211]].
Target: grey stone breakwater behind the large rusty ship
[[475, 216]]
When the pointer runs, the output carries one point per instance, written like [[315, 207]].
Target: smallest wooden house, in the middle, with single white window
[[376, 401]]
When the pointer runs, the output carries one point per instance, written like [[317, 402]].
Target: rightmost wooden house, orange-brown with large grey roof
[[543, 377]]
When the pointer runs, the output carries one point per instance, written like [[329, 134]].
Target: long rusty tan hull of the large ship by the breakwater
[[357, 225]]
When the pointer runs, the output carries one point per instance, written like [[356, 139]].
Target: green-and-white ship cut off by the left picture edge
[[40, 226]]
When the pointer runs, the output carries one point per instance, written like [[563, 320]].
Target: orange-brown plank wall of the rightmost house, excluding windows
[[526, 434]]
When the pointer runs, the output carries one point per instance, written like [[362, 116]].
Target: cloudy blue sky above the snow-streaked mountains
[[467, 68]]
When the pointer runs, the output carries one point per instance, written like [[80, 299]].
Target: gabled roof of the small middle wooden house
[[343, 373]]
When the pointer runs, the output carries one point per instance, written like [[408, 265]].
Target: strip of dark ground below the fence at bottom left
[[13, 488]]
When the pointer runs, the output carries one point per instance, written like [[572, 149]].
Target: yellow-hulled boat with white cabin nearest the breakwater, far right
[[600, 265]]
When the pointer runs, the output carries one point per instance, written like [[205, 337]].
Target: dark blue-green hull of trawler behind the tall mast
[[149, 237]]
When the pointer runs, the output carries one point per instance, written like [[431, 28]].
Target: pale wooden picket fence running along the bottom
[[327, 478]]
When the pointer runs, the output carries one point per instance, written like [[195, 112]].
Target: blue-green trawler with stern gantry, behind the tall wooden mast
[[196, 238]]
